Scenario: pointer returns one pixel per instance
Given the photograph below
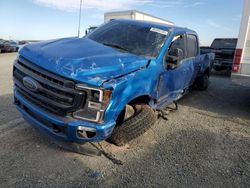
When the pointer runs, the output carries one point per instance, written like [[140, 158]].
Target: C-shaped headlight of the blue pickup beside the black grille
[[95, 106]]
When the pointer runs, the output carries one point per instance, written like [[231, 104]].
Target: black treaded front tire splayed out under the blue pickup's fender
[[135, 126]]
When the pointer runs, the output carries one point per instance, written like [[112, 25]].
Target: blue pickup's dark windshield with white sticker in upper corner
[[130, 37]]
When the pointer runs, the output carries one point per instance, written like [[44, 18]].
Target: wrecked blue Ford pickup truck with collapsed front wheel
[[108, 84]]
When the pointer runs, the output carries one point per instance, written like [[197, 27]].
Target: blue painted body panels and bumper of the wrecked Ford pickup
[[129, 76]]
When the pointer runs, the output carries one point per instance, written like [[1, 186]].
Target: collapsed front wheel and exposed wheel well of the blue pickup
[[133, 120]]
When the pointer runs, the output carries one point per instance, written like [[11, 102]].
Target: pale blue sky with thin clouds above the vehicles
[[47, 19]]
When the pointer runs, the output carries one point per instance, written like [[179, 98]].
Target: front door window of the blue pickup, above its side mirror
[[178, 42]]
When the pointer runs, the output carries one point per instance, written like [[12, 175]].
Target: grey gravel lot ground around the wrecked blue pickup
[[206, 143]]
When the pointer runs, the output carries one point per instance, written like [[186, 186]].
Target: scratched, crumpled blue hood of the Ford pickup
[[82, 59]]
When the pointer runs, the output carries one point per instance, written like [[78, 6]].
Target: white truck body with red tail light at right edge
[[241, 66]]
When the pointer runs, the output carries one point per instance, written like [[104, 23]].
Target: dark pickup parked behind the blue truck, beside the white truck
[[224, 49]]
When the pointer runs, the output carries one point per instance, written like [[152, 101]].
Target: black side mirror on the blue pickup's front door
[[174, 57]]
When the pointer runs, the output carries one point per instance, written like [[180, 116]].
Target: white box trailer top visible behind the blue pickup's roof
[[134, 15]]
